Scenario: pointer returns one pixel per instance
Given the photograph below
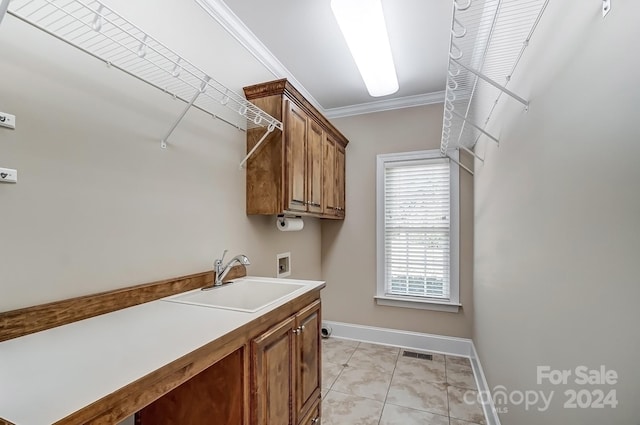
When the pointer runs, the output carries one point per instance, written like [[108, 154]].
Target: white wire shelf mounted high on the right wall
[[487, 41]]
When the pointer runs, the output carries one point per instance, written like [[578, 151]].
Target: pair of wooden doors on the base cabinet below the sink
[[285, 363]]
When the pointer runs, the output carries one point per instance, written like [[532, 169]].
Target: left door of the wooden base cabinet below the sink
[[273, 375]]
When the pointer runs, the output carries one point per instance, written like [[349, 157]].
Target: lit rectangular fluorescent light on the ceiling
[[364, 28]]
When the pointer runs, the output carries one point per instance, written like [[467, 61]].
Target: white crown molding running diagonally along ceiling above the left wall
[[219, 11]]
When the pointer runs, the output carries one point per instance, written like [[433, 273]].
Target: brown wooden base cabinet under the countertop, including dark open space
[[273, 378]]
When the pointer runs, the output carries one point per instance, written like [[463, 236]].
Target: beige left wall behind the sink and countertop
[[99, 205]]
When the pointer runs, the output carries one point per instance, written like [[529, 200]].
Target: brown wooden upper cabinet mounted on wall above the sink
[[288, 173]]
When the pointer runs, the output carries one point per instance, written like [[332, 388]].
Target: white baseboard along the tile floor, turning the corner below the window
[[463, 347]]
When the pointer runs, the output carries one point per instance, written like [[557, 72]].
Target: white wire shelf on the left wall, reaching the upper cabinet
[[93, 28]]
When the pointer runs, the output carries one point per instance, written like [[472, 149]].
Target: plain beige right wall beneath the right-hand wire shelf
[[557, 217]]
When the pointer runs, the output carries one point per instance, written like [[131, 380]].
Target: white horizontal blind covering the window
[[417, 228]]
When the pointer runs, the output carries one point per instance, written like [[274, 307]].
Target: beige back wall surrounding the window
[[349, 247]]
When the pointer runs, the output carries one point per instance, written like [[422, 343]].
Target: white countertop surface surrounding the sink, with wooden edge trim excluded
[[49, 375]]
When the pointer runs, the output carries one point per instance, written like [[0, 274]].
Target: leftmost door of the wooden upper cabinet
[[296, 160]]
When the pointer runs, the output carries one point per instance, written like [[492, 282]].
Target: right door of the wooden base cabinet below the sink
[[308, 361]]
